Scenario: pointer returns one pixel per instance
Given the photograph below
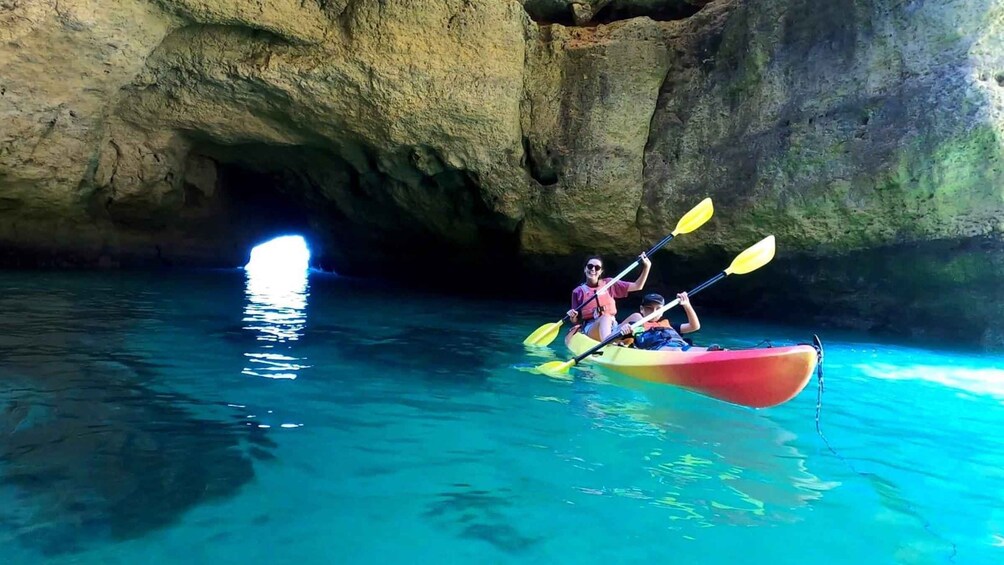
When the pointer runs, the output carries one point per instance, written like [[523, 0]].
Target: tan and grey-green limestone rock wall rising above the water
[[467, 131]]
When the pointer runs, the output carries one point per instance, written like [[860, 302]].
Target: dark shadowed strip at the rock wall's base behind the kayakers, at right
[[946, 292]]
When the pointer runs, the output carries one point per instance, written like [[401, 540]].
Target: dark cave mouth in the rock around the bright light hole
[[360, 213]]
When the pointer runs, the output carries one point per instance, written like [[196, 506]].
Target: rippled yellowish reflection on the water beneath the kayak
[[706, 468]]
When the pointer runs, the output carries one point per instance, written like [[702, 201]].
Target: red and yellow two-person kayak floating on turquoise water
[[759, 378]]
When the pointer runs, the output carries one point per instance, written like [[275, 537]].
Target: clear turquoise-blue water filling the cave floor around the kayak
[[202, 418]]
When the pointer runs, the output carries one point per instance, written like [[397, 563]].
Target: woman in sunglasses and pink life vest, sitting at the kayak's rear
[[598, 317]]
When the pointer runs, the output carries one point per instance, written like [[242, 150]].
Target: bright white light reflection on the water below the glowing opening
[[277, 312]]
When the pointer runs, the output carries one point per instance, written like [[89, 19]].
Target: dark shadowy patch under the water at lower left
[[90, 456]]
